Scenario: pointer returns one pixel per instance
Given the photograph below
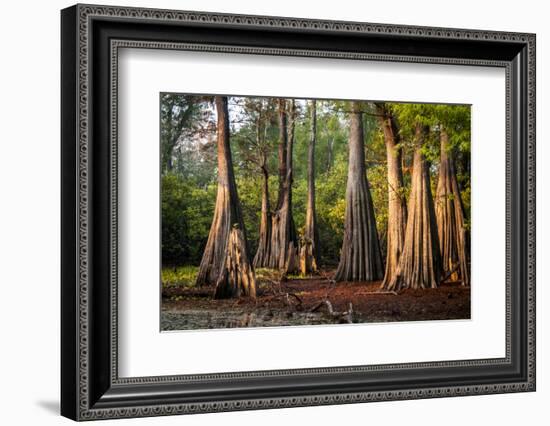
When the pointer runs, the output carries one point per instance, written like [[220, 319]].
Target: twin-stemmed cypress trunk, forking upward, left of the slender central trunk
[[283, 254]]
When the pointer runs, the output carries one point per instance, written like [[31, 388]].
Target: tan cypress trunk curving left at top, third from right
[[397, 207]]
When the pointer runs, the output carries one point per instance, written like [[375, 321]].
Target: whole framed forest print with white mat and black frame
[[263, 212]]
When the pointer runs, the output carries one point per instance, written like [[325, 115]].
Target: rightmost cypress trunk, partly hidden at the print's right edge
[[450, 218]]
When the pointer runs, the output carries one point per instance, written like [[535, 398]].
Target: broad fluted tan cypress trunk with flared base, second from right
[[420, 262]]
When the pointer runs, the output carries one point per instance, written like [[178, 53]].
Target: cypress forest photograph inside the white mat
[[302, 212]]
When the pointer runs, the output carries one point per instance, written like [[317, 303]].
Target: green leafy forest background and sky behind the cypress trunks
[[189, 165]]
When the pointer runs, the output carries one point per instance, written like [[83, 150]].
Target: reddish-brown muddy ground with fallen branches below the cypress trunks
[[310, 301]]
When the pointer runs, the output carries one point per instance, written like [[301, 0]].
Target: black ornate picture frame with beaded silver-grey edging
[[91, 388]]
